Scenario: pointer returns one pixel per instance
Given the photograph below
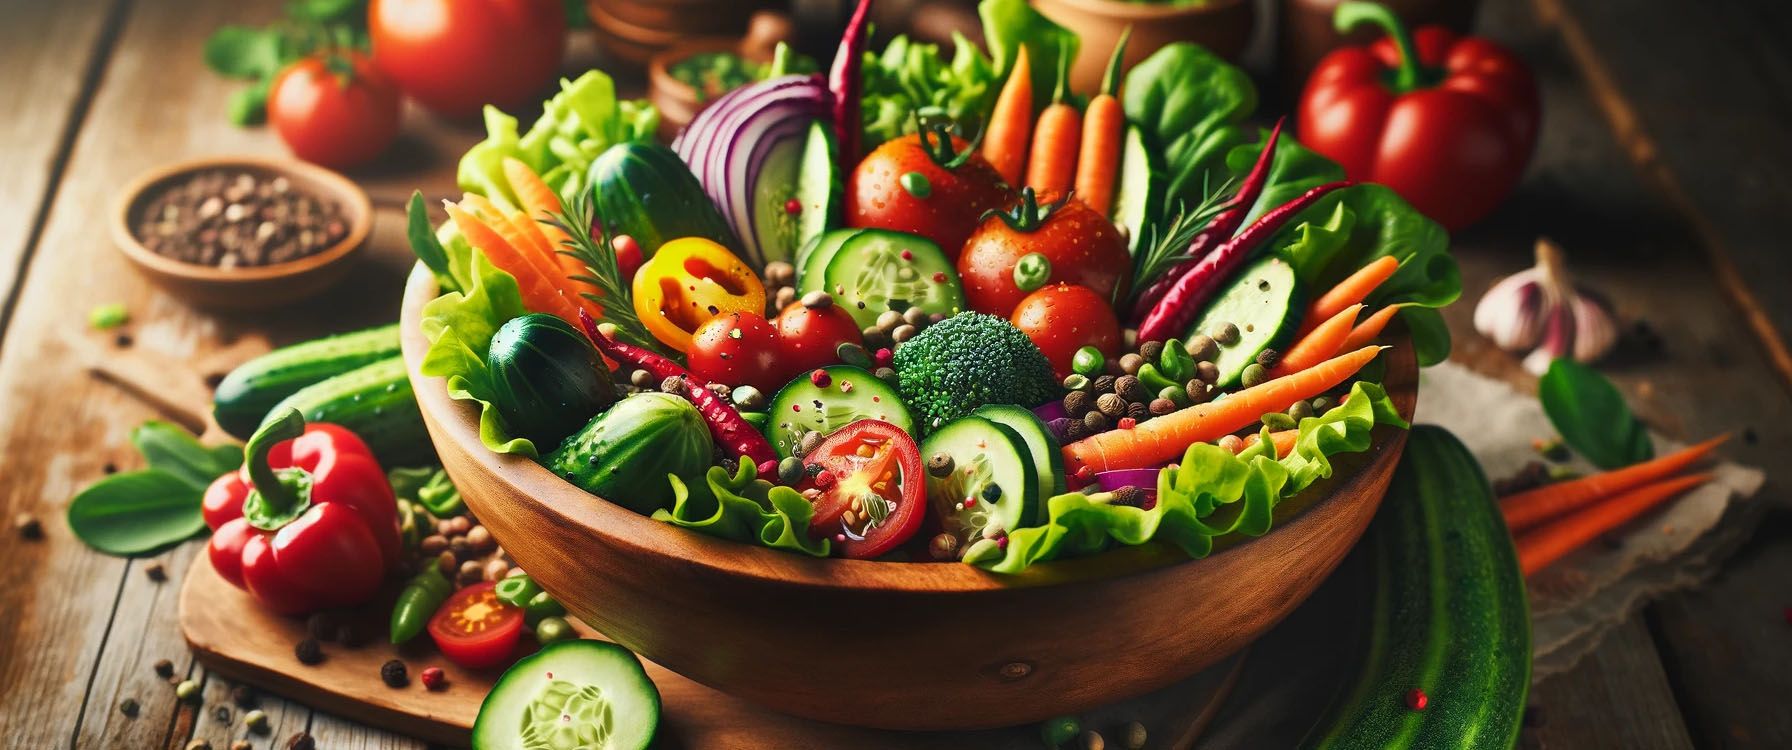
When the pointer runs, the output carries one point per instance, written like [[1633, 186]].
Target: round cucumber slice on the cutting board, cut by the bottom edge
[[571, 695]]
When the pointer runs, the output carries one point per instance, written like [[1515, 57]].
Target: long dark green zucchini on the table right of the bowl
[[1449, 615]]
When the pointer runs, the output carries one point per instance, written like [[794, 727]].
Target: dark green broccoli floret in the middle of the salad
[[970, 361]]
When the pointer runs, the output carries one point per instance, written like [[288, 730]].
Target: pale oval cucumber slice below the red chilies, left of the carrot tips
[[1266, 303]]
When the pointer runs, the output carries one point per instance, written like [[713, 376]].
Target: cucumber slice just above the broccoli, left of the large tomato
[[879, 271]]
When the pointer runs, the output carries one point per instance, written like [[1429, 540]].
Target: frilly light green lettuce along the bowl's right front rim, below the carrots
[[1212, 493]]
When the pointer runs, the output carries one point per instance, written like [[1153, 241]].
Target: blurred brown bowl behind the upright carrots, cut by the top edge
[[1221, 26]]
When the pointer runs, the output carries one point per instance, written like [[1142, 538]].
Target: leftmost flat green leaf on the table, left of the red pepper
[[137, 513]]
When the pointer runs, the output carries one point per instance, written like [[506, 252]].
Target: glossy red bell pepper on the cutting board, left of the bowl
[[307, 524]]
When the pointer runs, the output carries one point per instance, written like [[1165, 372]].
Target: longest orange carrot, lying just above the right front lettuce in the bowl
[[1166, 438]]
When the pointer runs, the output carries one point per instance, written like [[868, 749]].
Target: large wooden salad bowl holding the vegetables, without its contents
[[902, 645]]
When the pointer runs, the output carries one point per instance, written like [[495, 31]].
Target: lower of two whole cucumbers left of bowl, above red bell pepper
[[375, 404]]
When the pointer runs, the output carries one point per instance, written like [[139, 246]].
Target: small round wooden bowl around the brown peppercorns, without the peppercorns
[[248, 287]]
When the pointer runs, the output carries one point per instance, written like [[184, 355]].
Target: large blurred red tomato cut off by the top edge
[[456, 56]]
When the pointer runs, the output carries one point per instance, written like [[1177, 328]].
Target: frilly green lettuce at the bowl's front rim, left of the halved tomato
[[745, 509]]
